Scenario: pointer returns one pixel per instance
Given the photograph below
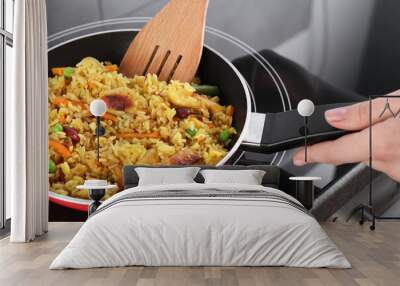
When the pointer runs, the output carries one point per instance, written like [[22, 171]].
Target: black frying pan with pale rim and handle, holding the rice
[[257, 132]]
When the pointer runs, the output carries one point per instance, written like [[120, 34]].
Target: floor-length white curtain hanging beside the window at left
[[26, 119]]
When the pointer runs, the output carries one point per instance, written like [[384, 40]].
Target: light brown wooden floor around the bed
[[375, 257]]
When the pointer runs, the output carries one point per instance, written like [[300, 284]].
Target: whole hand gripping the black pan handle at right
[[354, 147]]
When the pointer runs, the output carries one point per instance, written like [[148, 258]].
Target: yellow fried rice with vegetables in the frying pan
[[148, 121]]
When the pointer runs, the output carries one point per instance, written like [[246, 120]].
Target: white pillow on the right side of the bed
[[248, 177]]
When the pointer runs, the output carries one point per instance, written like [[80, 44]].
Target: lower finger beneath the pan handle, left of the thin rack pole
[[350, 148]]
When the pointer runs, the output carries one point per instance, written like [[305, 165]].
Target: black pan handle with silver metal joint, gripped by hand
[[273, 132]]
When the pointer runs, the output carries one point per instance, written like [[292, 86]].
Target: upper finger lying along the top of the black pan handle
[[356, 116]]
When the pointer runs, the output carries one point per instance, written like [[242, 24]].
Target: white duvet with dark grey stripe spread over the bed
[[204, 231]]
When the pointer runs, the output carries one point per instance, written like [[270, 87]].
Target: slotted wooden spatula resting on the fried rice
[[170, 45]]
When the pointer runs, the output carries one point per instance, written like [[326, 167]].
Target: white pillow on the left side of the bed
[[163, 176]]
